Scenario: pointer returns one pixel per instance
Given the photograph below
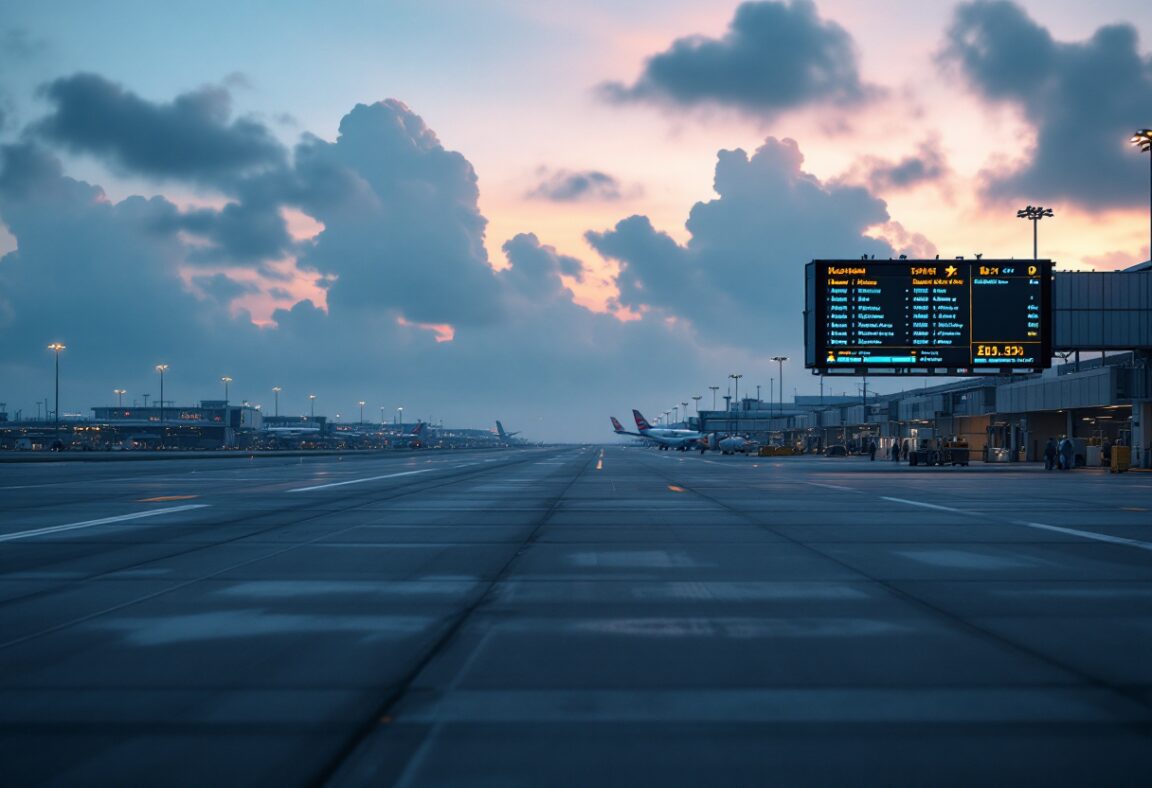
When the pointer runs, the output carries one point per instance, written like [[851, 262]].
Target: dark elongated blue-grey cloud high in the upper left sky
[[192, 138]]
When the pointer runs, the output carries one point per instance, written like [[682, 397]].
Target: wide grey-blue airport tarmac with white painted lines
[[573, 617]]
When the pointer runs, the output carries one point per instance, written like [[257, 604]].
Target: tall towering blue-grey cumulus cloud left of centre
[[403, 228]]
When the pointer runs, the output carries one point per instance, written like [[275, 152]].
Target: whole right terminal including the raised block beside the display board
[[1101, 395]]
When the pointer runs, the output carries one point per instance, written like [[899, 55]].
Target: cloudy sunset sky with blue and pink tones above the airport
[[537, 211]]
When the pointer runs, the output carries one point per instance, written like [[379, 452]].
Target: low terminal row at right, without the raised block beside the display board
[[1095, 401]]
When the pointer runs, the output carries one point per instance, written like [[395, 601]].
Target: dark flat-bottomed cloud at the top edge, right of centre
[[775, 57]]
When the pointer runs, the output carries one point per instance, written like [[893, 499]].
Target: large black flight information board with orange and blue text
[[928, 317]]
